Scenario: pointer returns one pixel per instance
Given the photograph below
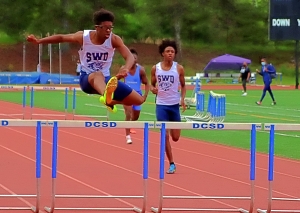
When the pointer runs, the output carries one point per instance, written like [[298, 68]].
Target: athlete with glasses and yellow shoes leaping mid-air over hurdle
[[97, 50]]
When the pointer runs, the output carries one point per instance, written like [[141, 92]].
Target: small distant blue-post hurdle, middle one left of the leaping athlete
[[44, 115]]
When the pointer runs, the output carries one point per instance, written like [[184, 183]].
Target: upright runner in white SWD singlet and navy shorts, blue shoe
[[165, 78]]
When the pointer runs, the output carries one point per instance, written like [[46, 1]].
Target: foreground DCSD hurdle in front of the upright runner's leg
[[207, 126]]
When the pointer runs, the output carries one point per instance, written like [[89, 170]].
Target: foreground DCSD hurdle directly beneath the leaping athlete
[[98, 124]]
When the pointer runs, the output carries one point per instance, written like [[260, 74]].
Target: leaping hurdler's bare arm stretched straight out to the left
[[59, 38]]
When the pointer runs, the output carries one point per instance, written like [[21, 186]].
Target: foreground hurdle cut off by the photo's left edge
[[23, 123]]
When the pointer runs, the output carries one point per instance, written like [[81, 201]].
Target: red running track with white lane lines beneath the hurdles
[[99, 162]]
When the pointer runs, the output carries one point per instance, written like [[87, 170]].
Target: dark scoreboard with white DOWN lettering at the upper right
[[284, 20]]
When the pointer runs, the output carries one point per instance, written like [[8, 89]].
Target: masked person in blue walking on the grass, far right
[[266, 72]]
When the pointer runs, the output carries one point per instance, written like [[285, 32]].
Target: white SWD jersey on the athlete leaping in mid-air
[[95, 58]]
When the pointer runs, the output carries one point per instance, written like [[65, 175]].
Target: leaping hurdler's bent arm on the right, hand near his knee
[[118, 43]]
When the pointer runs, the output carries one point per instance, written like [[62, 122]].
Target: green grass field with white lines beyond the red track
[[239, 109]]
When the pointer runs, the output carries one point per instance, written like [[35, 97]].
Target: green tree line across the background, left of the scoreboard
[[213, 21]]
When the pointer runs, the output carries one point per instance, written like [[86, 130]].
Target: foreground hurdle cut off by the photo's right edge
[[272, 128]]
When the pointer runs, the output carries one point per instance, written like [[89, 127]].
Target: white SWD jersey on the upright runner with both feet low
[[167, 82]]
